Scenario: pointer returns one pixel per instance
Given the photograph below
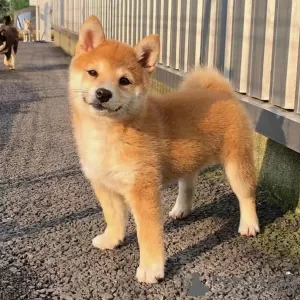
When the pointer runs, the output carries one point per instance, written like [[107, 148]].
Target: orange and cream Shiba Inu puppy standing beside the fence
[[130, 143]]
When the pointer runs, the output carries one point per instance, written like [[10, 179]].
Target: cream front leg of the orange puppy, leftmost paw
[[115, 213]]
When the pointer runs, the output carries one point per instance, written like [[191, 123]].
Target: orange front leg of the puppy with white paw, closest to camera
[[147, 212]]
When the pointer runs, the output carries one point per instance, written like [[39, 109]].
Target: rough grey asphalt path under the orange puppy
[[49, 215]]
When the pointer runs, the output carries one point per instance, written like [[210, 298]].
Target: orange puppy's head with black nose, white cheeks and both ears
[[109, 78]]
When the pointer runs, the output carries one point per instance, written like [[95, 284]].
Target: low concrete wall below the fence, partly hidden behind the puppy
[[278, 167]]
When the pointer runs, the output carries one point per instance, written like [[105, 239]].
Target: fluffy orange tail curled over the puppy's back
[[206, 78]]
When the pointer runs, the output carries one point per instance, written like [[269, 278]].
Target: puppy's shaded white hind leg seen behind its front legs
[[184, 200]]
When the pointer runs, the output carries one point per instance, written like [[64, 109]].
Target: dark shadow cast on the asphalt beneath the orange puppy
[[226, 208]]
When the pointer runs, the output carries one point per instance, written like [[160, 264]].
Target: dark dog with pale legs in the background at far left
[[9, 39]]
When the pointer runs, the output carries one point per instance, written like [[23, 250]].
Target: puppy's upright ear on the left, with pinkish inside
[[91, 35]]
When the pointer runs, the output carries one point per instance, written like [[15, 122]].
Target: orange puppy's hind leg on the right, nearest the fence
[[241, 174]]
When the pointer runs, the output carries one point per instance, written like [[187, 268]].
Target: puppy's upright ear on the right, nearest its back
[[147, 52]]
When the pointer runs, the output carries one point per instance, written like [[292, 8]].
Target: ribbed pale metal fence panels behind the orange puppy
[[255, 43]]
